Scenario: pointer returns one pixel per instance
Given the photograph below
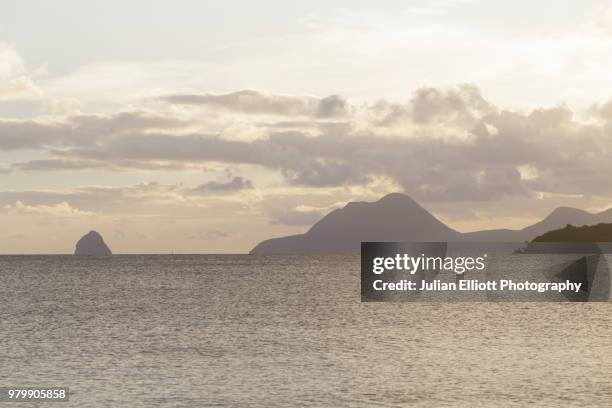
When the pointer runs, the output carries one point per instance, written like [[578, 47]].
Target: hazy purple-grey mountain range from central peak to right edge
[[397, 217]]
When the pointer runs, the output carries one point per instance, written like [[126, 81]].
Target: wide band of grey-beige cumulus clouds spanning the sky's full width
[[481, 157]]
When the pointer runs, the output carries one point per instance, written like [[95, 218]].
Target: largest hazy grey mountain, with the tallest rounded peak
[[395, 217]]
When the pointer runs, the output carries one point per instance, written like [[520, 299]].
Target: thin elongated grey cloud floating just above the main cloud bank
[[259, 103]]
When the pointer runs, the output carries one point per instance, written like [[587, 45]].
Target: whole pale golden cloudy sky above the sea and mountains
[[206, 127]]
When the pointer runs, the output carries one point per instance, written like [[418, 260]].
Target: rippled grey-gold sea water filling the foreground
[[199, 331]]
